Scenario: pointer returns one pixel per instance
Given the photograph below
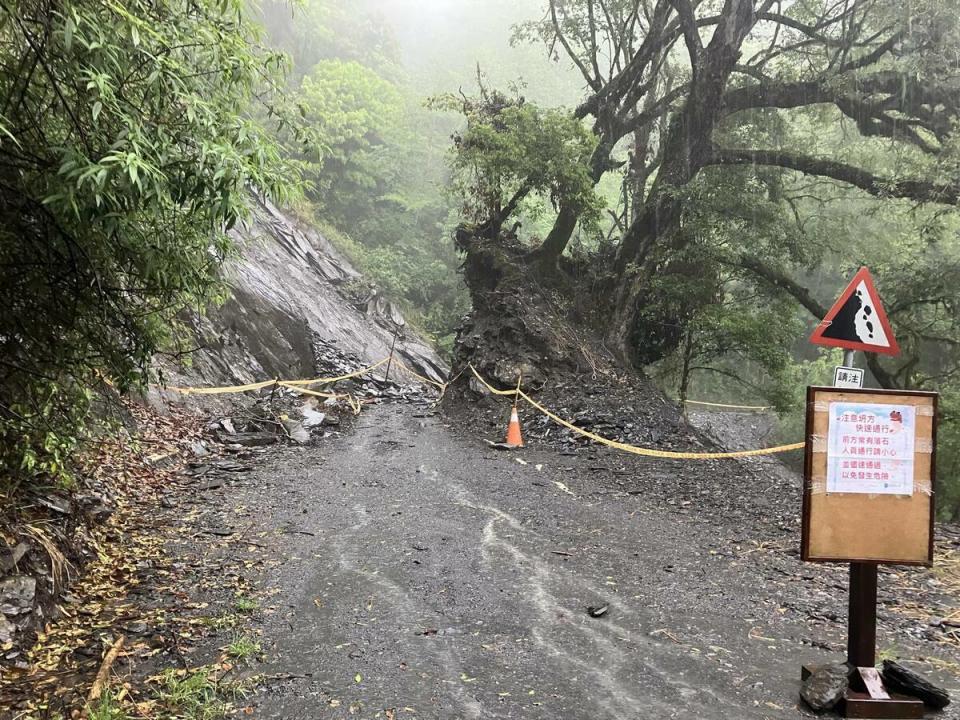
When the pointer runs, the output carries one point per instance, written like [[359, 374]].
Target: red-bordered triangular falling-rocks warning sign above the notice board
[[857, 320]]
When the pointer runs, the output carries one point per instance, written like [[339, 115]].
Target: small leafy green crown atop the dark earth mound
[[512, 148]]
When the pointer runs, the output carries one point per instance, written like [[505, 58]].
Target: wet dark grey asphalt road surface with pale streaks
[[422, 575]]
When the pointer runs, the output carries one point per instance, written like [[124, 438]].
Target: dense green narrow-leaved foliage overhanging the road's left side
[[127, 151]]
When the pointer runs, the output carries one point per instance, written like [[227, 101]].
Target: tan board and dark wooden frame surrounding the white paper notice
[[862, 528]]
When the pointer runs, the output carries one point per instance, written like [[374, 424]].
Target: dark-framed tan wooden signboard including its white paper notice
[[869, 476]]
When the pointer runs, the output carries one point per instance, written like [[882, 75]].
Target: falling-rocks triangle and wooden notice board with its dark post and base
[[868, 497]]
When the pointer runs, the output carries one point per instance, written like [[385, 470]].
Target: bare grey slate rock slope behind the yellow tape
[[295, 303]]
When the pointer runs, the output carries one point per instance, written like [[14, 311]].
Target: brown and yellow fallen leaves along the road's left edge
[[129, 581]]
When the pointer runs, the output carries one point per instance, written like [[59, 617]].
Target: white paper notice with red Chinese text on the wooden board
[[870, 448]]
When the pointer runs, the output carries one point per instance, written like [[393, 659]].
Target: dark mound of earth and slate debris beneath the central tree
[[537, 330]]
